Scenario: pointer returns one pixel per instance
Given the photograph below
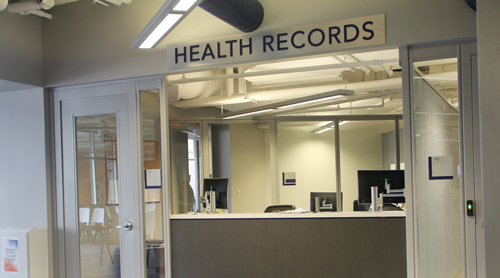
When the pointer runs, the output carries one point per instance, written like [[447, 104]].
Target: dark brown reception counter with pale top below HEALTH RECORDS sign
[[326, 244]]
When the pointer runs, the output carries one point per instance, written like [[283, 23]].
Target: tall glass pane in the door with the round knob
[[98, 196]]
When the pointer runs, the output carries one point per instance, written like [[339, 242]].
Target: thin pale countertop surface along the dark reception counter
[[356, 214]]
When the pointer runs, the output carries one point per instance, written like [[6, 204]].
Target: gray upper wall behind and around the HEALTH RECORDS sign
[[86, 42]]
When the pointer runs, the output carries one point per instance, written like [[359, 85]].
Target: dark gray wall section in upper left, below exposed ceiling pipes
[[21, 49]]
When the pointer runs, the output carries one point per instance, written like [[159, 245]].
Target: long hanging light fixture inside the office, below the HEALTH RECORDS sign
[[289, 103]]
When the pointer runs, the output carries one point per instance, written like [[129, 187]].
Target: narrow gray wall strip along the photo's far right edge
[[489, 99]]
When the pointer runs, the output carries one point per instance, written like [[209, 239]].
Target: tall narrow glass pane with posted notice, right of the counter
[[438, 193]]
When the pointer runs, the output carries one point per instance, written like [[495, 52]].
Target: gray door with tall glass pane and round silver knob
[[102, 230]]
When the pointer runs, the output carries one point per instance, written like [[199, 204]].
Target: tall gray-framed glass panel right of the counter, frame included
[[442, 164]]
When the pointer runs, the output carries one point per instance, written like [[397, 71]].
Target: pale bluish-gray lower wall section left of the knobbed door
[[23, 177]]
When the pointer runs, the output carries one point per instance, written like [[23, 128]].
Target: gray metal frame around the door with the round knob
[[59, 95]]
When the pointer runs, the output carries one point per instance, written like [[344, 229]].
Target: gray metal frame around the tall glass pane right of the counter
[[469, 150]]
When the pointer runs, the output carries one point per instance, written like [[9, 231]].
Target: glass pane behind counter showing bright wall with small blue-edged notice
[[306, 160]]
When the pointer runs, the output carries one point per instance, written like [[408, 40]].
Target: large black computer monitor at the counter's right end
[[369, 178]]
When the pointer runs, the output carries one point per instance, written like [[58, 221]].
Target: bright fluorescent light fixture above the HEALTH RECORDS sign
[[170, 14]]
